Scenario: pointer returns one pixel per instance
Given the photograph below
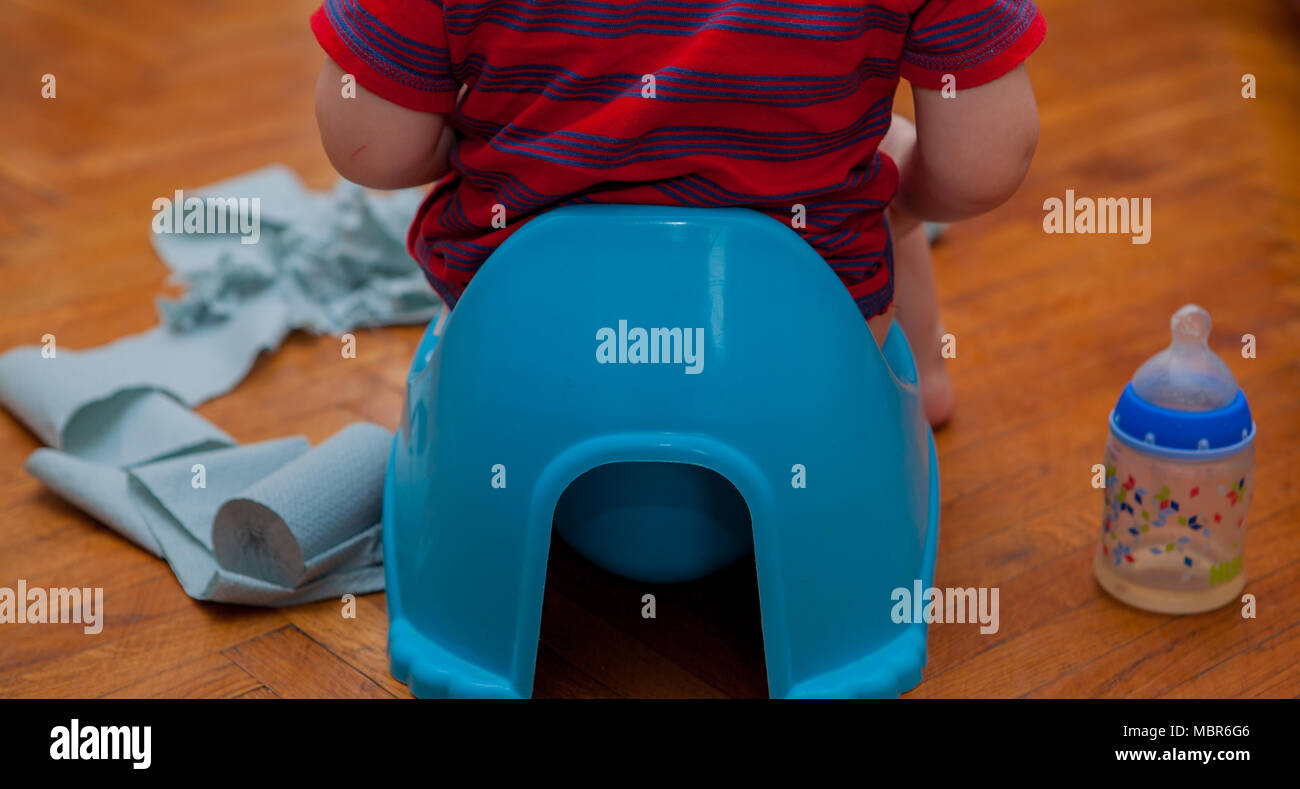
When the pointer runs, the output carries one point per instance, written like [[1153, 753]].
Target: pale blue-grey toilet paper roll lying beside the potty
[[309, 517]]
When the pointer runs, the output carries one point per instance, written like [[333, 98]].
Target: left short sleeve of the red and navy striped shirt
[[396, 49]]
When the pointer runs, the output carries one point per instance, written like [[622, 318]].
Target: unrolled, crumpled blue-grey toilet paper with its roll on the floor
[[274, 523]]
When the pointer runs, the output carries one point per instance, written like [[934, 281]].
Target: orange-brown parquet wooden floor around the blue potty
[[1138, 99]]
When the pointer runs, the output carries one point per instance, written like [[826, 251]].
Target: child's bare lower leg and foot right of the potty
[[918, 313]]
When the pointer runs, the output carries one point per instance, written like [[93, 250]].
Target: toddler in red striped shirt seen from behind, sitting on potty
[[517, 107]]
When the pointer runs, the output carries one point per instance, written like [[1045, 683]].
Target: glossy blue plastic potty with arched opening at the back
[[670, 389]]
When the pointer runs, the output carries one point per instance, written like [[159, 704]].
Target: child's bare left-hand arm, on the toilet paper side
[[375, 142]]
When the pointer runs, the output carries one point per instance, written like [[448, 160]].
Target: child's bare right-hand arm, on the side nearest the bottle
[[972, 150]]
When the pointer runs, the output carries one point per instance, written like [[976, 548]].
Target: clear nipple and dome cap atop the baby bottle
[[1188, 376]]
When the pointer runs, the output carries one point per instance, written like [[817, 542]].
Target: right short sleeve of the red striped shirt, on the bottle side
[[974, 41]]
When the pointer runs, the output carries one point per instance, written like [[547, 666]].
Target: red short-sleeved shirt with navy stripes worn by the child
[[770, 105]]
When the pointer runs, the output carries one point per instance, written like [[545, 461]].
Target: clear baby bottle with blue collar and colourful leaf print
[[1180, 476]]
